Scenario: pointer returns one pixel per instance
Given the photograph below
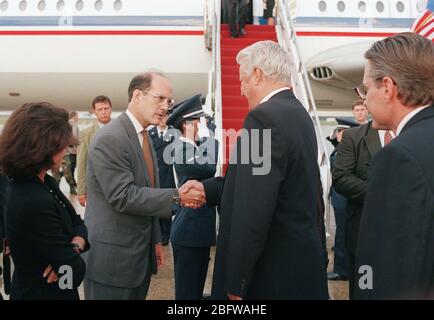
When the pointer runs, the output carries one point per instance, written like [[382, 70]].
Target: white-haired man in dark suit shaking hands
[[268, 243]]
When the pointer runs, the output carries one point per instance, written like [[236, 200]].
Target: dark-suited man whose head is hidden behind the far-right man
[[350, 172]]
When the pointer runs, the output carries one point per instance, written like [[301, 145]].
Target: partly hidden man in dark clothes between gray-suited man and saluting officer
[[162, 135]]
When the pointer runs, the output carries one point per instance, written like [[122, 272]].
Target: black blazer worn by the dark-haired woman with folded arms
[[40, 224]]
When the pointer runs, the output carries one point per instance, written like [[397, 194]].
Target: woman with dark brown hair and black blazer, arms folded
[[45, 234]]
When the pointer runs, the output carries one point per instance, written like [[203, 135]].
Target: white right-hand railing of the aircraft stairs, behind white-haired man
[[287, 38]]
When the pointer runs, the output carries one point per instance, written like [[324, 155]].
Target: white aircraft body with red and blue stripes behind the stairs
[[69, 51]]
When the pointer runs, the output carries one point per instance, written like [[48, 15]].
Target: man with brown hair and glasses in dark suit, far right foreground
[[394, 256]]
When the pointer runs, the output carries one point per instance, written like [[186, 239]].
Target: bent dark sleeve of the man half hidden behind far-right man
[[345, 180]]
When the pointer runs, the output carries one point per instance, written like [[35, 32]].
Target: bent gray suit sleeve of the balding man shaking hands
[[111, 164]]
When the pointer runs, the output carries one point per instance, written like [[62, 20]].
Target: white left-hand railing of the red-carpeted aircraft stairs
[[214, 85]]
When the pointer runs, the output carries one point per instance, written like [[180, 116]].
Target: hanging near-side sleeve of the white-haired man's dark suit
[[255, 205]]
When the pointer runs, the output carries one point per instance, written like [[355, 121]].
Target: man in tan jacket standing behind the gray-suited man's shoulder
[[102, 108]]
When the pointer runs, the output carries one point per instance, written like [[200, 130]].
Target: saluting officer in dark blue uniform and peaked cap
[[193, 230]]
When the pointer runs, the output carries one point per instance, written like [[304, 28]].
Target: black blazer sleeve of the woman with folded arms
[[50, 240]]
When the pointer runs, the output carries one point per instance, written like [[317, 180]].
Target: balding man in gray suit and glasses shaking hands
[[123, 203]]
